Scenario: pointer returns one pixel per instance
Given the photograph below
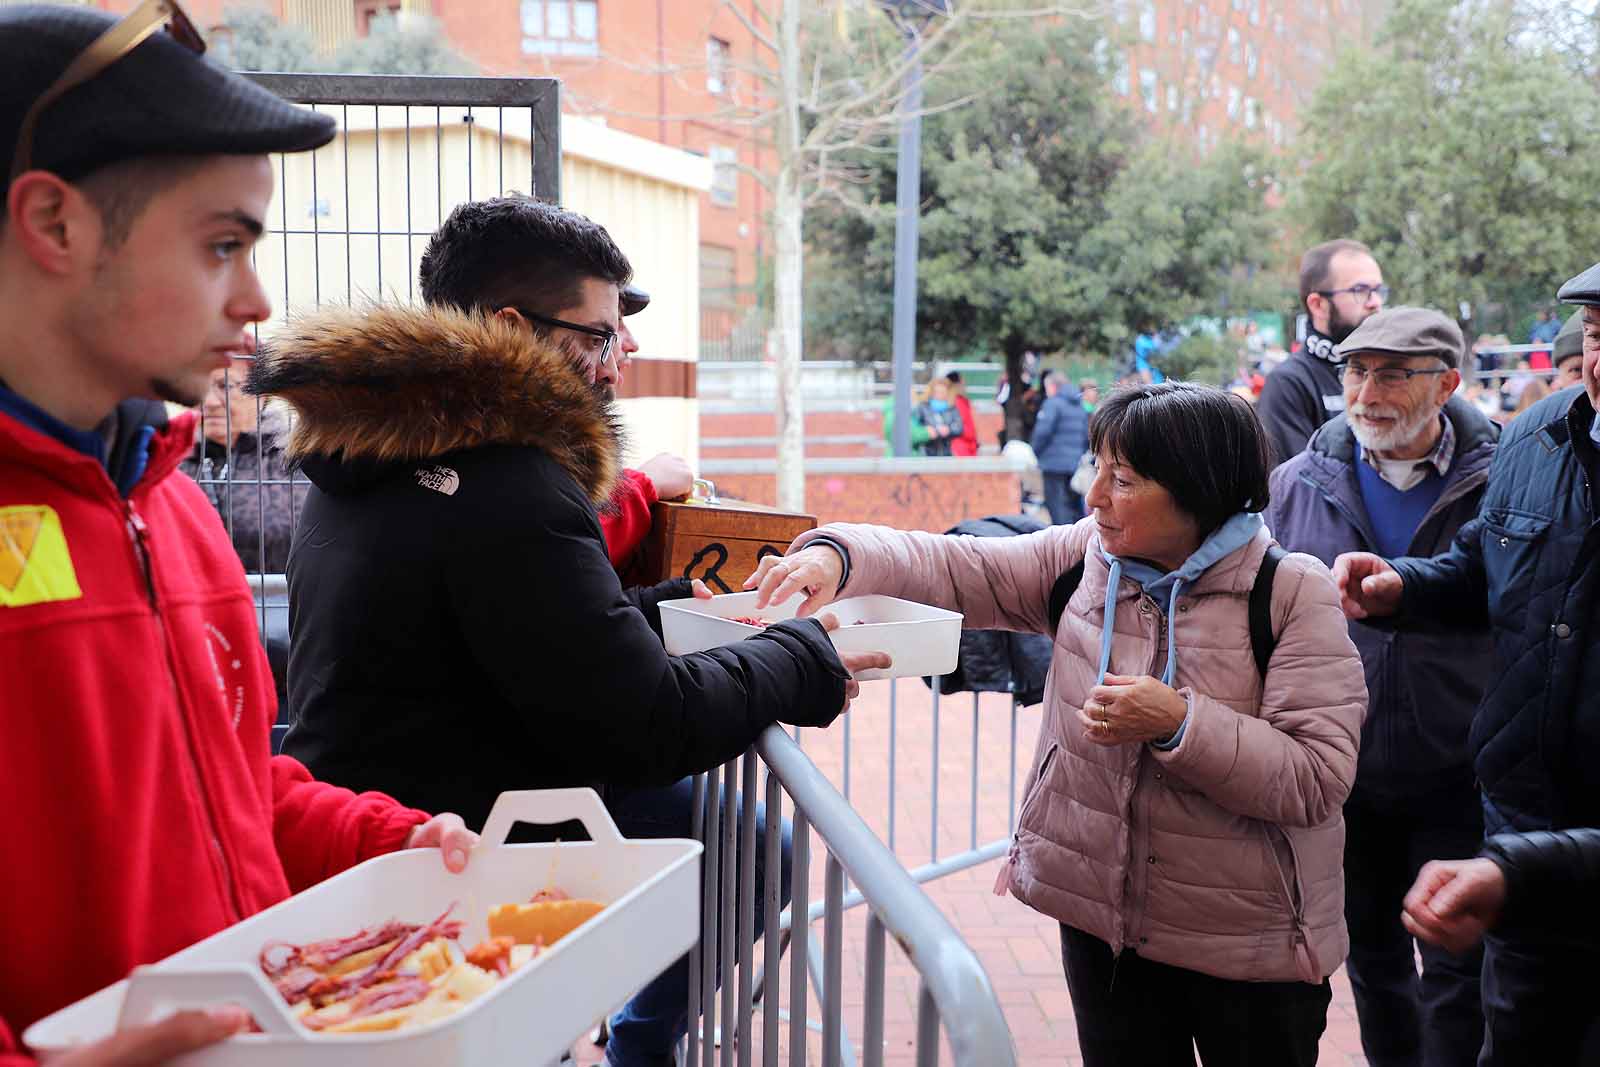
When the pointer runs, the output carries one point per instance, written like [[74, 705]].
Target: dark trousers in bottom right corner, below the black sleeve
[[1540, 1004]]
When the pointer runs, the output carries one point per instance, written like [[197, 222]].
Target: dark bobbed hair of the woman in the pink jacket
[[1202, 446]]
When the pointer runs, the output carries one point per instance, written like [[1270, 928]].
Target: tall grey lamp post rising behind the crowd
[[911, 17]]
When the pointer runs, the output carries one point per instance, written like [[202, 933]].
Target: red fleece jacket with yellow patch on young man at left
[[143, 810]]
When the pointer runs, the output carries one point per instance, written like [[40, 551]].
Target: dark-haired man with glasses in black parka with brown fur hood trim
[[450, 580]]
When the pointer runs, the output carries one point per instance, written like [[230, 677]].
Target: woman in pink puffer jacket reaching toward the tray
[[1183, 817]]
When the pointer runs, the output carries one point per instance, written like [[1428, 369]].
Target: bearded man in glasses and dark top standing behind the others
[[1340, 289]]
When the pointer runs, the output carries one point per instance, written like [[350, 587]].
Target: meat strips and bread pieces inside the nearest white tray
[[404, 975]]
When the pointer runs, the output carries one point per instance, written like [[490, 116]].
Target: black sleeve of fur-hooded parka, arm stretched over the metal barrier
[[543, 613]]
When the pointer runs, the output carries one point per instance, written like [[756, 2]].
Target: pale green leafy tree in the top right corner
[[1465, 150]]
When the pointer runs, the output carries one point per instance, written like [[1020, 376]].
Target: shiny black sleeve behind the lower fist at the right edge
[[1553, 879]]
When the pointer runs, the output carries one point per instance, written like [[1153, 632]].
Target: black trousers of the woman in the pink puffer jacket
[[1137, 1013]]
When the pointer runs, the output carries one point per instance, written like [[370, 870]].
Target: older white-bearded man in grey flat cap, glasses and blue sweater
[[1399, 473]]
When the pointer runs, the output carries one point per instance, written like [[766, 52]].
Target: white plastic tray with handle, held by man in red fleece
[[652, 917]]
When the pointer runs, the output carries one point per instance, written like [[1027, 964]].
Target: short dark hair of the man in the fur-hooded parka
[[518, 250]]
